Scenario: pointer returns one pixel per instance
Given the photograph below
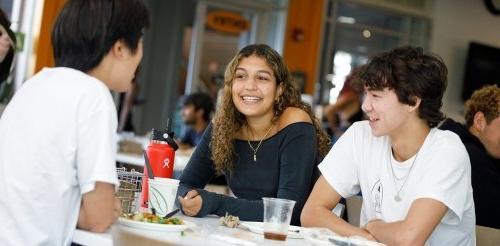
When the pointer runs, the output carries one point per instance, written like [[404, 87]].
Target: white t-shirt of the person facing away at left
[[57, 138]]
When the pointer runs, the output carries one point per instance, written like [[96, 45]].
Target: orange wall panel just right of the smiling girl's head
[[303, 38]]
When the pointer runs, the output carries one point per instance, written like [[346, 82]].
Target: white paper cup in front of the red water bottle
[[162, 193]]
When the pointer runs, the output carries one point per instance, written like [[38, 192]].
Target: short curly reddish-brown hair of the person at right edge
[[485, 100]]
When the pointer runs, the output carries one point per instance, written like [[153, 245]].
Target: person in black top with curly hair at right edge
[[481, 137]]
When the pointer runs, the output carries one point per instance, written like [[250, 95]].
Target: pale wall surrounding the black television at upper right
[[455, 24]]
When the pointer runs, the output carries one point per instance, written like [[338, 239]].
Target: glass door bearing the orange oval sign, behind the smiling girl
[[221, 29]]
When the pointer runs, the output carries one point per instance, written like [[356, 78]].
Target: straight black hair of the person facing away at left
[[86, 30]]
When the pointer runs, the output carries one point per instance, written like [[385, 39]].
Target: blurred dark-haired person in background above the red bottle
[[196, 110]]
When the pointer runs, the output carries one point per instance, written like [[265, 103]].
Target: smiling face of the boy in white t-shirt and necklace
[[387, 116]]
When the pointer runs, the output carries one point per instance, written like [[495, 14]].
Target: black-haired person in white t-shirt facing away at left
[[58, 133]]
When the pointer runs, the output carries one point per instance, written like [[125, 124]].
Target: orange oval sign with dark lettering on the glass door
[[229, 22]]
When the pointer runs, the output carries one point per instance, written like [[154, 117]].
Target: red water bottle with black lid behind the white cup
[[161, 155]]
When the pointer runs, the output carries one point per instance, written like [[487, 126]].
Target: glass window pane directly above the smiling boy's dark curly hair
[[355, 32]]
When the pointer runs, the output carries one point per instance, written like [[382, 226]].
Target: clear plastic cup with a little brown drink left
[[277, 216]]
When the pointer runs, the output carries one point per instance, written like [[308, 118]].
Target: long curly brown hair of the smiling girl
[[228, 120]]
